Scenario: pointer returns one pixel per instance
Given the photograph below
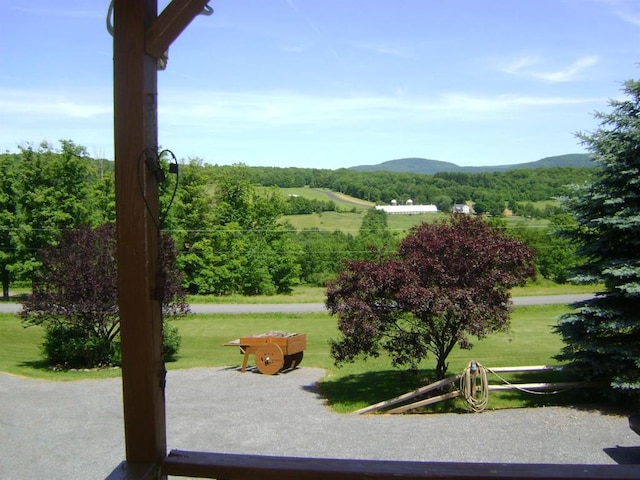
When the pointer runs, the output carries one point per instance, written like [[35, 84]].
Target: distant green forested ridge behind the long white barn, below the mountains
[[490, 192]]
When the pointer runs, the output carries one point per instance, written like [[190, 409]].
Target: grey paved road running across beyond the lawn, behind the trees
[[319, 307]]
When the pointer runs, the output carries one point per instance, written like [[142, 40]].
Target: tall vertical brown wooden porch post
[[135, 129]]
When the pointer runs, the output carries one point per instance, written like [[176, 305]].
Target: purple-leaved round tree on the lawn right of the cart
[[447, 281]]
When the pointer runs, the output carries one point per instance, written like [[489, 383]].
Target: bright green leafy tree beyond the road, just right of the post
[[244, 249]]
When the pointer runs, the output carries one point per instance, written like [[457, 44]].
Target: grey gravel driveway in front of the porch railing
[[74, 430]]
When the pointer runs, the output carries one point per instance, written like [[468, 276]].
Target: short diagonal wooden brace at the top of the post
[[170, 23]]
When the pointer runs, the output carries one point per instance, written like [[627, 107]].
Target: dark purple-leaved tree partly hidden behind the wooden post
[[75, 298]]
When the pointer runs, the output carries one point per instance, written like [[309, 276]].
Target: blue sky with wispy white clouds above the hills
[[332, 83]]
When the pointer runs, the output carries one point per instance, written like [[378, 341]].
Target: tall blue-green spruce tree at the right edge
[[602, 335]]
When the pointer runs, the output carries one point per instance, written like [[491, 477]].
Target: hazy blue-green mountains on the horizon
[[430, 167]]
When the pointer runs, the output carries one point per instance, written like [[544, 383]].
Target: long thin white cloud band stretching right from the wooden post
[[227, 110]]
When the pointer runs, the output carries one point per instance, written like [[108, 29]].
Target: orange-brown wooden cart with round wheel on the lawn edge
[[274, 351]]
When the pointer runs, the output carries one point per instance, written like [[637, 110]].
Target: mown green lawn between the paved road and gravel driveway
[[529, 342]]
